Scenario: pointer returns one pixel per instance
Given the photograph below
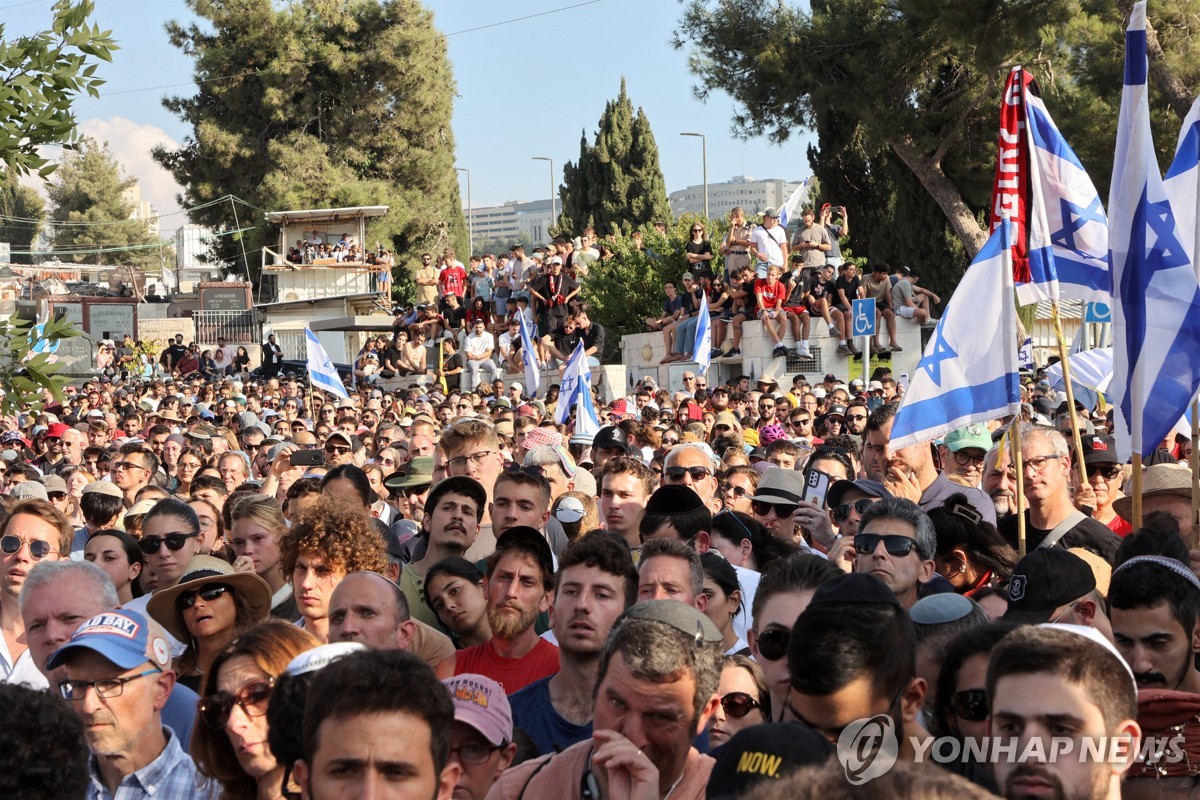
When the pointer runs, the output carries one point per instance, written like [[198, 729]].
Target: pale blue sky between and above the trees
[[531, 76]]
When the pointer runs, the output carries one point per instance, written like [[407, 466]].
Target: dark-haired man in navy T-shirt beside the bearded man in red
[[596, 584]]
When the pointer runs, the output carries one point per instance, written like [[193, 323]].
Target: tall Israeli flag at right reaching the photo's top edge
[[1156, 316]]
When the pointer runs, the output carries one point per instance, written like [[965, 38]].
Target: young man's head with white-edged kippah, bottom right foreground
[[1052, 682]]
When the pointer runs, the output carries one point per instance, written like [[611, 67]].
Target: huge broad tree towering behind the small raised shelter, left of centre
[[320, 104]]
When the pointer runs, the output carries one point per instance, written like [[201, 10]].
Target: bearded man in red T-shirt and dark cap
[[519, 587]]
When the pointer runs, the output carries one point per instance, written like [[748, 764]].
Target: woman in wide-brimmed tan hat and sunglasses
[[207, 610]]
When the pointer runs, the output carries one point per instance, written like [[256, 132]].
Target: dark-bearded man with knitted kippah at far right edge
[[1155, 605]]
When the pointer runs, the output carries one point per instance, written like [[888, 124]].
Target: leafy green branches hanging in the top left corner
[[40, 77]]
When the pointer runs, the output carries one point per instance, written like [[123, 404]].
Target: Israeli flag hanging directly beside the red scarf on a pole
[[1069, 231]]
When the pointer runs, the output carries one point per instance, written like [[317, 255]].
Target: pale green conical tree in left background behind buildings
[[92, 214]]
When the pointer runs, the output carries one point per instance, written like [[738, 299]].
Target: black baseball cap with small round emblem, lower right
[[1043, 581]]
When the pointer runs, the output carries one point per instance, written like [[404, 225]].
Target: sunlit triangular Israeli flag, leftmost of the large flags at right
[[969, 371]]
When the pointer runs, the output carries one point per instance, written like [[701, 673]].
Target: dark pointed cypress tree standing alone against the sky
[[617, 184]]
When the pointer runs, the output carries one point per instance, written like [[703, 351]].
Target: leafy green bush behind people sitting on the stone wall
[[627, 290]]
